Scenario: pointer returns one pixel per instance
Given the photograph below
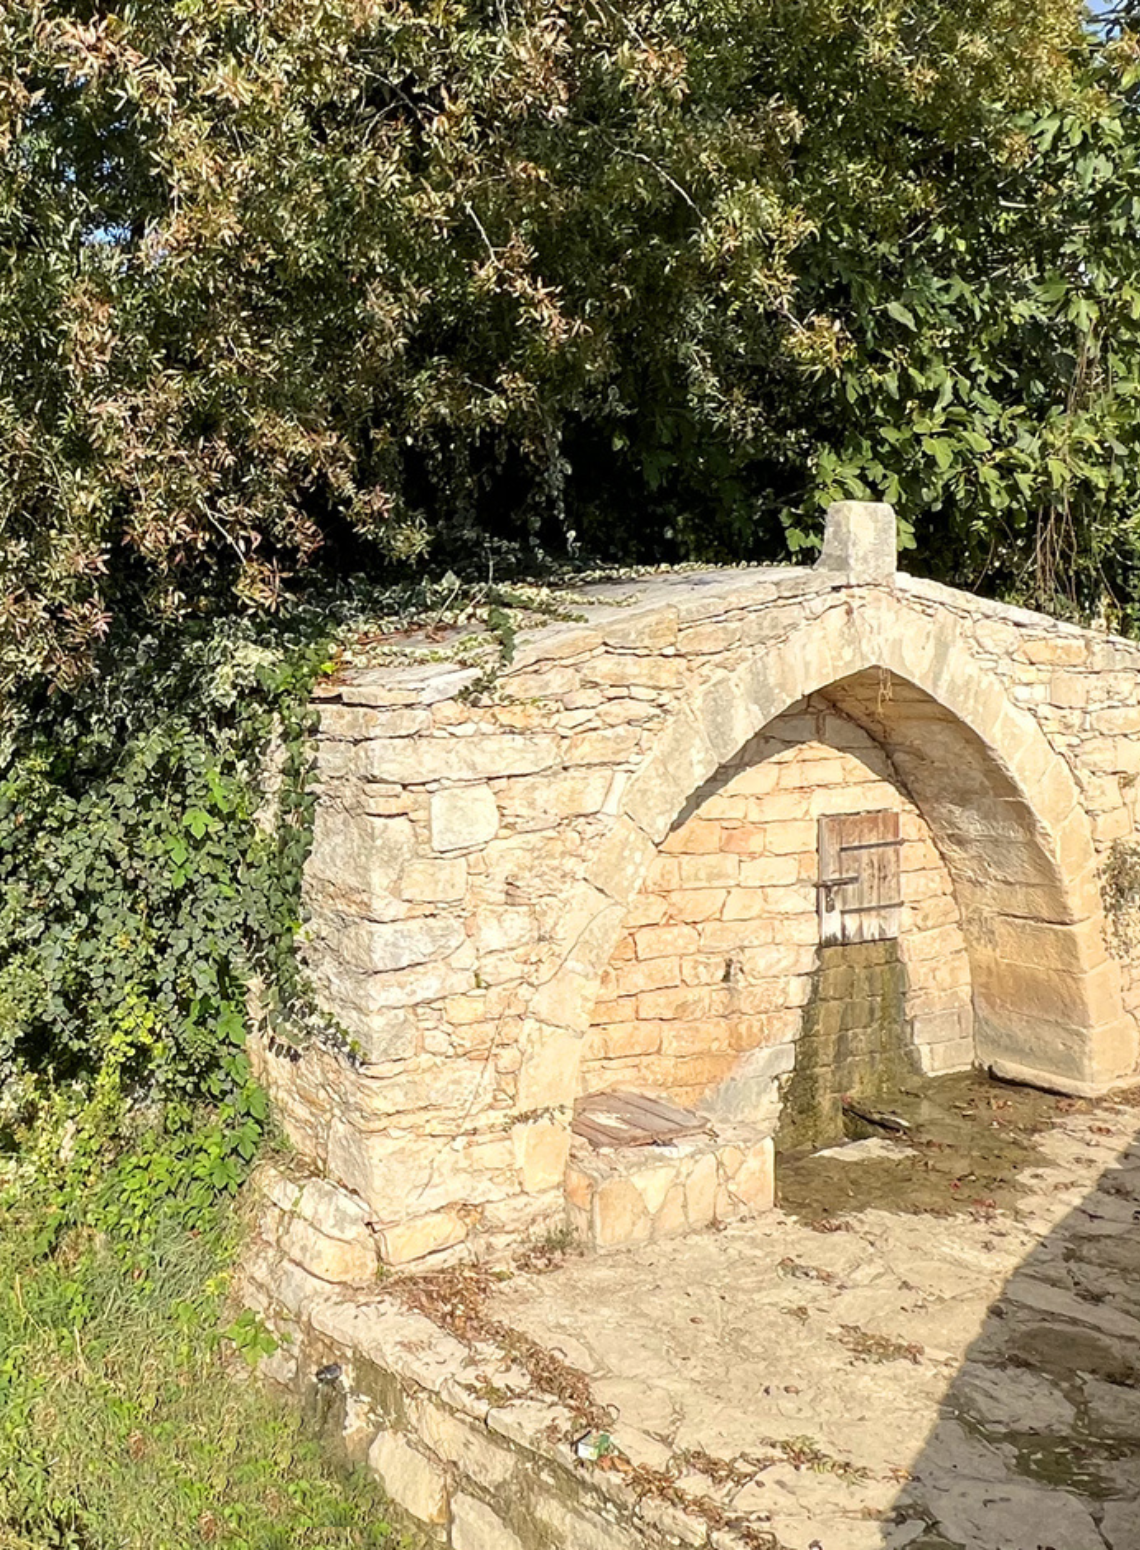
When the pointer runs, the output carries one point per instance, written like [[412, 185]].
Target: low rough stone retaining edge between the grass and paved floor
[[468, 1452]]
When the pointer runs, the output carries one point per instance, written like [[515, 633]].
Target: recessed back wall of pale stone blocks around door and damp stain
[[719, 952]]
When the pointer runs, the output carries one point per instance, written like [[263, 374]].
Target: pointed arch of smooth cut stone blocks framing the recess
[[1003, 807]]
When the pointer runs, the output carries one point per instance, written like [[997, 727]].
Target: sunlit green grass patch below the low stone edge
[[128, 1422]]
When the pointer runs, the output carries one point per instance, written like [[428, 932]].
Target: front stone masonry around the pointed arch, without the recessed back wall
[[477, 859]]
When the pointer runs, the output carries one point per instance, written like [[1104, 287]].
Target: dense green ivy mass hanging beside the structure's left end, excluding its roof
[[145, 881]]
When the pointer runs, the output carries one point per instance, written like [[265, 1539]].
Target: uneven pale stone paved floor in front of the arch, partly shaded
[[886, 1380]]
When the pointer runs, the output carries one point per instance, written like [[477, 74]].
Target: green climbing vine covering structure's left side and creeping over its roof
[[154, 830]]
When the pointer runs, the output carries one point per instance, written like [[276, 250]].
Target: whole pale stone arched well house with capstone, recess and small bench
[[739, 844]]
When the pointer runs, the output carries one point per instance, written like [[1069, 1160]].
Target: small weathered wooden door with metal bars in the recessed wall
[[860, 886]]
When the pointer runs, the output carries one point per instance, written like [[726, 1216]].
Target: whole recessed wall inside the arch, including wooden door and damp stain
[[747, 985]]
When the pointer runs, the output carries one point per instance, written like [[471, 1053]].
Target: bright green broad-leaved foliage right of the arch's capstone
[[997, 398]]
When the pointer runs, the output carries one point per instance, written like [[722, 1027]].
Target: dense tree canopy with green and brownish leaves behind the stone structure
[[300, 286]]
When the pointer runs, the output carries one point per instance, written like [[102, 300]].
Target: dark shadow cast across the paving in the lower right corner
[[1038, 1439]]
